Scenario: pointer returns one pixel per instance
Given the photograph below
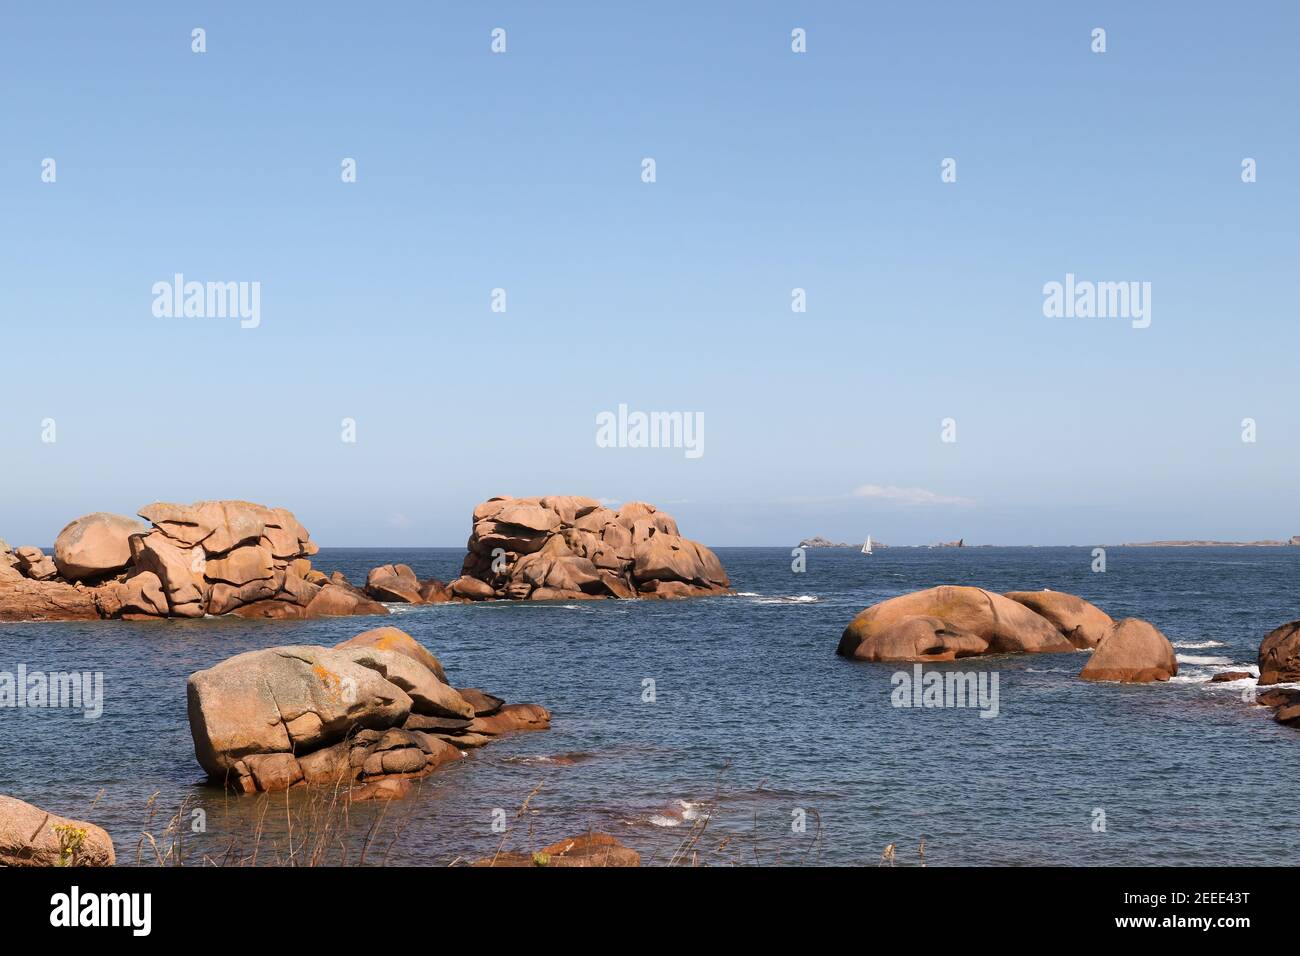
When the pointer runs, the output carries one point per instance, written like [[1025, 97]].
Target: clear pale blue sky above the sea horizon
[[775, 171]]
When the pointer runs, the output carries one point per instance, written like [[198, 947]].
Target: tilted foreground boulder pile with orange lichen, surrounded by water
[[371, 710]]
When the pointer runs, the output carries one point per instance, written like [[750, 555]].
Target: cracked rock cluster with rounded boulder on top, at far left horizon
[[213, 557]]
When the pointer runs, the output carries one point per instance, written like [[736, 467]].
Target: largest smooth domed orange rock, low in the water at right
[[948, 622]]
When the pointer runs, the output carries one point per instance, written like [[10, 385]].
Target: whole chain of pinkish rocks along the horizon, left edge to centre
[[236, 557]]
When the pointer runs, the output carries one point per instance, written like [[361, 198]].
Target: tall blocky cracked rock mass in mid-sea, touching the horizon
[[567, 548]]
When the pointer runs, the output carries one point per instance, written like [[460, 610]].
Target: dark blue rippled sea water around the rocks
[[757, 746]]
